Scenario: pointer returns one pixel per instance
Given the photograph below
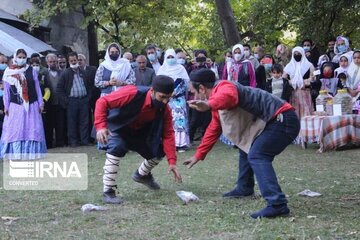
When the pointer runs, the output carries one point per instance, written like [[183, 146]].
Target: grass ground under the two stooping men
[[161, 215]]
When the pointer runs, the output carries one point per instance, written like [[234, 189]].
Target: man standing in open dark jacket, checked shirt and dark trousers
[[74, 89]]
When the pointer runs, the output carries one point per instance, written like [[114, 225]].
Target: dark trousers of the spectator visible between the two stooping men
[[197, 120]]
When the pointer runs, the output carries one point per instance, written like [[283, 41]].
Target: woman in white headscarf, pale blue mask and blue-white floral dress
[[177, 103]]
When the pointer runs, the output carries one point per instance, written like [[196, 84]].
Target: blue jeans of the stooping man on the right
[[277, 135]]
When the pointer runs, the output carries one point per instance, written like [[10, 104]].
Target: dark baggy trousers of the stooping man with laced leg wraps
[[135, 140]]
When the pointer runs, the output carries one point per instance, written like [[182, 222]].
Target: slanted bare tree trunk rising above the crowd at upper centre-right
[[228, 23]]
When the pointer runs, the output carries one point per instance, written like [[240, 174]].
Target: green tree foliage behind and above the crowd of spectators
[[192, 24]]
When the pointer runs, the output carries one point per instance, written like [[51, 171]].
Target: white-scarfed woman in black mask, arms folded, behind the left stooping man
[[114, 71]]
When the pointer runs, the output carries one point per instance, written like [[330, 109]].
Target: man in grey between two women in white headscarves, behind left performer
[[144, 75]]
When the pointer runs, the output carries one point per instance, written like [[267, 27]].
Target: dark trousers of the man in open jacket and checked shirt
[[78, 121]]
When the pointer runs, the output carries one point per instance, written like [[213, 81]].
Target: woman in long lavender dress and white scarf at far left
[[23, 135]]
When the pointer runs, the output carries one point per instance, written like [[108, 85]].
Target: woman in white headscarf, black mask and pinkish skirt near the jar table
[[300, 72]]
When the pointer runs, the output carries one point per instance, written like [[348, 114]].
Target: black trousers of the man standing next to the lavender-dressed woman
[[55, 121]]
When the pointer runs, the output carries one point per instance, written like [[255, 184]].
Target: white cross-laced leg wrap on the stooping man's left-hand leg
[[110, 172]]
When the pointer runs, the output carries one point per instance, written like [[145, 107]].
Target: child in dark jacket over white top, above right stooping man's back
[[277, 85]]
